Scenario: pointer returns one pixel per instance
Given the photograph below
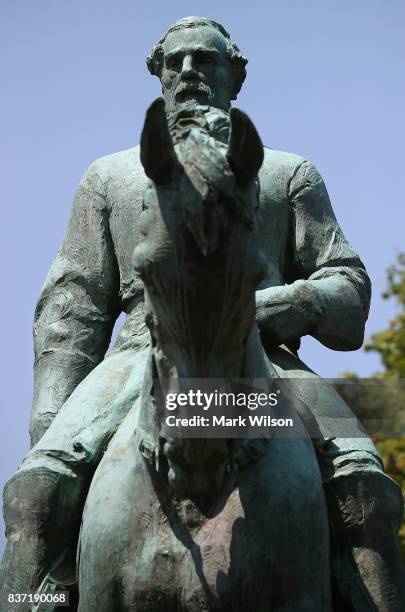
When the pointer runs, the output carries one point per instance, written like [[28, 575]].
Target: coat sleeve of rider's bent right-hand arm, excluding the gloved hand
[[336, 279]]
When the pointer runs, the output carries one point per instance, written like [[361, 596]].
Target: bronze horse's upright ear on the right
[[245, 149]]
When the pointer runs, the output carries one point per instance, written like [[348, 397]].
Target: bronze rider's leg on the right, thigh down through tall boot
[[365, 506]]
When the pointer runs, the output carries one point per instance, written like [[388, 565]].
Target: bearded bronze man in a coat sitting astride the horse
[[316, 285]]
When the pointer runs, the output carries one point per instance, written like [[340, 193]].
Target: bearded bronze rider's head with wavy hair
[[197, 62]]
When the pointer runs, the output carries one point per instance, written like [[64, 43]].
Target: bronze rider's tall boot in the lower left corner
[[42, 513]]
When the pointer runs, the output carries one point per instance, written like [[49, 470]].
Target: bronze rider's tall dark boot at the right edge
[[365, 513]]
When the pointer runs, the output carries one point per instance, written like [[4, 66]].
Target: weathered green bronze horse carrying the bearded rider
[[202, 524]]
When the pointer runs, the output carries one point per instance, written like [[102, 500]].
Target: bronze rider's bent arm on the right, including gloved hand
[[329, 298]]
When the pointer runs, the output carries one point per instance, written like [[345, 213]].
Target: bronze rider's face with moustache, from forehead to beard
[[196, 69]]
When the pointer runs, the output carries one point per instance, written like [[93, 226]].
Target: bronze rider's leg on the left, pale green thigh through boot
[[43, 501]]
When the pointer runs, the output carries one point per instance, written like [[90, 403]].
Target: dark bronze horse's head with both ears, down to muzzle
[[200, 260]]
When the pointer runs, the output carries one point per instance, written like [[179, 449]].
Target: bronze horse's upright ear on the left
[[157, 151]]
